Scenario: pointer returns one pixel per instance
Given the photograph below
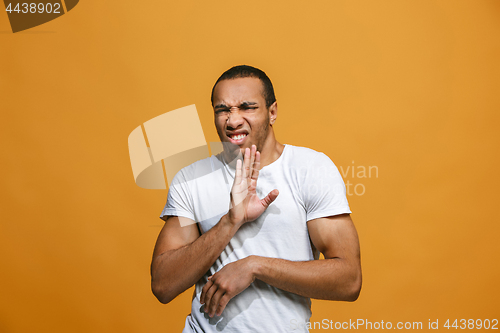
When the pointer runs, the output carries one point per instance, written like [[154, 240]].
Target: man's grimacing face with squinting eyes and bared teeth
[[241, 116]]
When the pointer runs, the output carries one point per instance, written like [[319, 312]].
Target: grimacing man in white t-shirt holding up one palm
[[253, 260]]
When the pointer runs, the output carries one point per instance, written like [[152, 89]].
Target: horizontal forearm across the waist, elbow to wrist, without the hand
[[332, 279]]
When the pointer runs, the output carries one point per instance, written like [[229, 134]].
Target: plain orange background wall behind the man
[[408, 86]]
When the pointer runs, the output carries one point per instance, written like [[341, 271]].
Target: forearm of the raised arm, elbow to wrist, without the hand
[[174, 271]]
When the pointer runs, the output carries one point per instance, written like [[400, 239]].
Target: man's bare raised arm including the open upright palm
[[181, 256]]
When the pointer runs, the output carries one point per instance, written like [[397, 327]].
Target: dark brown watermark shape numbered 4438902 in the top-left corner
[[24, 15]]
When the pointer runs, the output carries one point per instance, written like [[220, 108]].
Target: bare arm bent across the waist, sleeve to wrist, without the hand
[[338, 277]]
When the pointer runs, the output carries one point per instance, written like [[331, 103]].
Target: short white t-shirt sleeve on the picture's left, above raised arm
[[179, 200]]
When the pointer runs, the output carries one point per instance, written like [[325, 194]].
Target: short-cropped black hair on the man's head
[[249, 71]]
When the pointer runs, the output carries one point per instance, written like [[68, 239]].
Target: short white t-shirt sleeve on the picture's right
[[324, 189]]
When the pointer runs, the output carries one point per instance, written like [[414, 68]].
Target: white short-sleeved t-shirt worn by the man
[[310, 187]]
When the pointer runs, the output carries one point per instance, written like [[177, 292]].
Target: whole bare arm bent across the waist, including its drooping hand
[[338, 277]]
